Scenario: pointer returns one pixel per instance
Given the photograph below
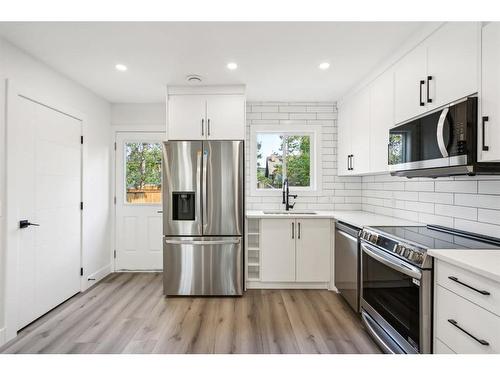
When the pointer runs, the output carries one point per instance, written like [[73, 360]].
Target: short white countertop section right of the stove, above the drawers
[[483, 262]]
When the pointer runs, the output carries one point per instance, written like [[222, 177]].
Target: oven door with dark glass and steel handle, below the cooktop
[[390, 294]]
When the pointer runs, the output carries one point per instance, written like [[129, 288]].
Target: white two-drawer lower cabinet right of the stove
[[464, 323]]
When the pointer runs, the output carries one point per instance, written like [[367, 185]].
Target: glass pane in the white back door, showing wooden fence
[[143, 172]]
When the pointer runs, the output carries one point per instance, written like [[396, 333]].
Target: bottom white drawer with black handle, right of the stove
[[457, 320]]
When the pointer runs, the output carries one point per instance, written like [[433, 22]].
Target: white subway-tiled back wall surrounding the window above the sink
[[338, 193]]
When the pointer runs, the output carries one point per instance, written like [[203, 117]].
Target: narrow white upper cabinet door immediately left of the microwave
[[381, 120]]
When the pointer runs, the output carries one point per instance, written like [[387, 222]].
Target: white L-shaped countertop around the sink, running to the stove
[[356, 218]]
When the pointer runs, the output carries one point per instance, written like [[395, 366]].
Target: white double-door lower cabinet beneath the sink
[[295, 250]]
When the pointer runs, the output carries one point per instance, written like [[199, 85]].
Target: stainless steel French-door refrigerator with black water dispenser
[[203, 210]]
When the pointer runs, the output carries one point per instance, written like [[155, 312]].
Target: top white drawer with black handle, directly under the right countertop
[[470, 286]]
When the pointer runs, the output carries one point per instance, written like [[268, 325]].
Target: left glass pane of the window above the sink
[[269, 161]]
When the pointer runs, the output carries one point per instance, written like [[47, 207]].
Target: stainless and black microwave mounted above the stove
[[441, 143]]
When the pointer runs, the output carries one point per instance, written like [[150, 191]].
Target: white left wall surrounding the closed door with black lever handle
[[26, 71]]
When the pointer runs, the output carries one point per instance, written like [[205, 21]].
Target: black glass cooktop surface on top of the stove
[[436, 237]]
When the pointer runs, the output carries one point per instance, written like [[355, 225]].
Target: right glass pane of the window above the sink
[[298, 160]]
